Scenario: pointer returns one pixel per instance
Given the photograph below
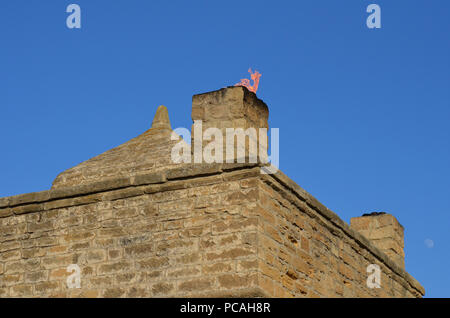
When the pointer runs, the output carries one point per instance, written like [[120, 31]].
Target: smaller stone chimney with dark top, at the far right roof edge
[[385, 232]]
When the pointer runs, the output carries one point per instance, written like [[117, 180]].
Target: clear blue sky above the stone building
[[363, 114]]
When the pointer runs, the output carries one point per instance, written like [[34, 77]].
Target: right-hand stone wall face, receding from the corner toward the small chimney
[[306, 250]]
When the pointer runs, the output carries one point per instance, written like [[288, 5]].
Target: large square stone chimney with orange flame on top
[[231, 107]]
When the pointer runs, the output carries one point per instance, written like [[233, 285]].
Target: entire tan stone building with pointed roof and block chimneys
[[138, 225]]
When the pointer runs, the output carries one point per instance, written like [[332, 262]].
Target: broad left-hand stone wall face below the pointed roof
[[146, 238]]
